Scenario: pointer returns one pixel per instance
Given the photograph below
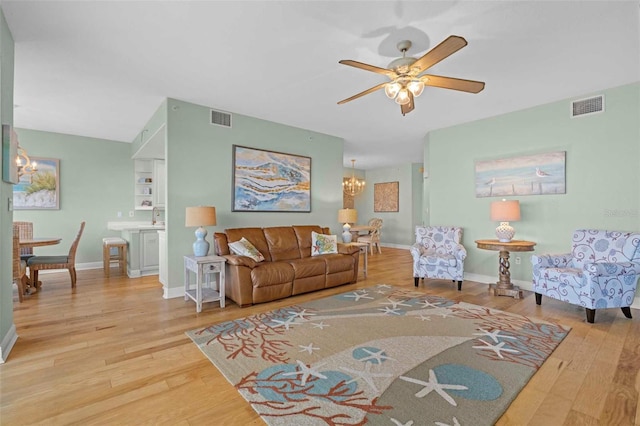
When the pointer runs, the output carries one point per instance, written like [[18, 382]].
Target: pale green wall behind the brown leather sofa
[[199, 172]]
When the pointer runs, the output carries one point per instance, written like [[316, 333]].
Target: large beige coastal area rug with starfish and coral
[[382, 355]]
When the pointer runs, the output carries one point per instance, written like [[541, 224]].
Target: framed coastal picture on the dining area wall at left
[[39, 190]]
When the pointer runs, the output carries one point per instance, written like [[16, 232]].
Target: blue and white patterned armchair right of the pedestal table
[[601, 271]]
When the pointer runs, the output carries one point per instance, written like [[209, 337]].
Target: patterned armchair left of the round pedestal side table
[[438, 253]]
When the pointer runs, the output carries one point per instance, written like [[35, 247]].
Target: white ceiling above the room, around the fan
[[101, 68]]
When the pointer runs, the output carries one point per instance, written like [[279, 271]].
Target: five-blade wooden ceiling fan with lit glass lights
[[407, 78]]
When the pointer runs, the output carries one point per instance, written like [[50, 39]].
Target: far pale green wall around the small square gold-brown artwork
[[397, 227]]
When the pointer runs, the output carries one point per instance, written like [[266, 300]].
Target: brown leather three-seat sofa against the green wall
[[288, 268]]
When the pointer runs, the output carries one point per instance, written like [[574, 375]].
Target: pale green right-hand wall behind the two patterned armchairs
[[602, 163]]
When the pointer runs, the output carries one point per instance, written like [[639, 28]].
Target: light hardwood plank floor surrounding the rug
[[114, 352]]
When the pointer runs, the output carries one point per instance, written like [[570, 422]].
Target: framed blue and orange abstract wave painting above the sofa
[[269, 181]]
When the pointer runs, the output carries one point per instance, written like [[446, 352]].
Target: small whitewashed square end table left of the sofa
[[203, 267]]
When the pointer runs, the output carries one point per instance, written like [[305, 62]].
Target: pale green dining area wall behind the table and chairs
[[96, 182]]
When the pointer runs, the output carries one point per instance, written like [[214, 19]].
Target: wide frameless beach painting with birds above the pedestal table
[[538, 174]]
